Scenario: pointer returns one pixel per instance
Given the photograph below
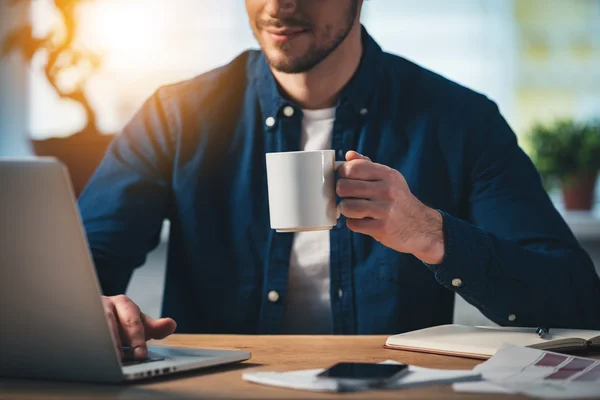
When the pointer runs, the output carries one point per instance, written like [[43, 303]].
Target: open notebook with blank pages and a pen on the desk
[[483, 341]]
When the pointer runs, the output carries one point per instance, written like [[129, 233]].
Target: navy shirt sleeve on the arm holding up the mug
[[514, 257]]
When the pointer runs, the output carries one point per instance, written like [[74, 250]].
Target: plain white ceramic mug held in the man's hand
[[302, 190]]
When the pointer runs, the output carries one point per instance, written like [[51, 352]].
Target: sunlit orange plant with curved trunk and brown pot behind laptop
[[82, 151]]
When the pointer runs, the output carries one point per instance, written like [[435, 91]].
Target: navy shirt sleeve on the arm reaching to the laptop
[[126, 200]]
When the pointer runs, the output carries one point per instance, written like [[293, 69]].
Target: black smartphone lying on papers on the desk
[[367, 373]]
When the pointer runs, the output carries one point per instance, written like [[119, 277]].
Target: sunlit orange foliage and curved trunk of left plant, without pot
[[69, 65]]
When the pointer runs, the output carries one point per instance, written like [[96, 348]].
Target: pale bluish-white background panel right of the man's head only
[[468, 41]]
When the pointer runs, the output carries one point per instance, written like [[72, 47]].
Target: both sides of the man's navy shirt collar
[[358, 92]]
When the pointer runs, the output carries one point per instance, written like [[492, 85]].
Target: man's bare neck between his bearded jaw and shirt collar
[[319, 88]]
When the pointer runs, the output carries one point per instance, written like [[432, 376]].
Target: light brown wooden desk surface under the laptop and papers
[[279, 353]]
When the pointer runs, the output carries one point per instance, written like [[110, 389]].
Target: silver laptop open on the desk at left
[[52, 323]]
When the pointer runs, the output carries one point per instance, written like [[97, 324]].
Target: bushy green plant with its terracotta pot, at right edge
[[567, 154]]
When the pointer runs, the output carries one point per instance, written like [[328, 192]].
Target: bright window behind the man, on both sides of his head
[[149, 43]]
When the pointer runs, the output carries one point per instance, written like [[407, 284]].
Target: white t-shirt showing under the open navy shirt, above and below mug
[[307, 304]]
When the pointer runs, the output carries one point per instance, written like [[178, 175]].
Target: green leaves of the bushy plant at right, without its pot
[[565, 148]]
